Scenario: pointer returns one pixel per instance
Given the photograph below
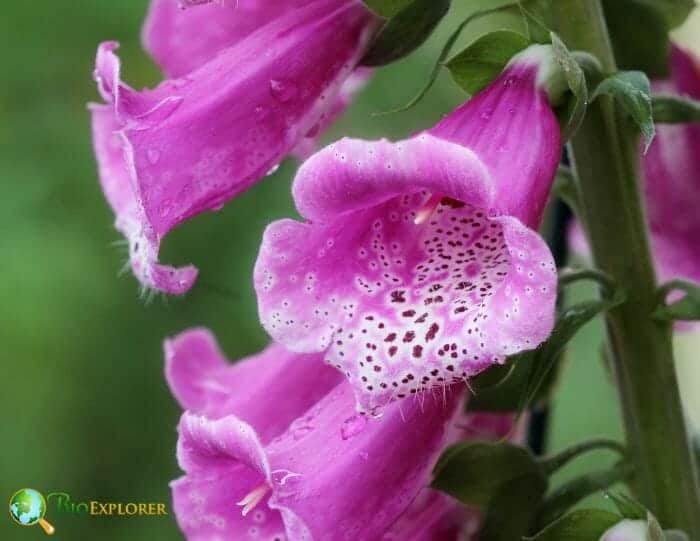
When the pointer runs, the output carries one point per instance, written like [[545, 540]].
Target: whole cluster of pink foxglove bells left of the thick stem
[[417, 266]]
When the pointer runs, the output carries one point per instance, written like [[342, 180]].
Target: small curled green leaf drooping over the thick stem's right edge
[[632, 90]]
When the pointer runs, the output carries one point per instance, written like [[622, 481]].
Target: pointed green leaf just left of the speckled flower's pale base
[[483, 59]]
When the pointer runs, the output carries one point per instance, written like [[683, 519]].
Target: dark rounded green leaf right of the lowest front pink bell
[[475, 472]]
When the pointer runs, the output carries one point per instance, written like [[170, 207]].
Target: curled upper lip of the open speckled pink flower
[[352, 174]]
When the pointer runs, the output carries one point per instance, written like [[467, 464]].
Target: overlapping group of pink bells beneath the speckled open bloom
[[312, 469]]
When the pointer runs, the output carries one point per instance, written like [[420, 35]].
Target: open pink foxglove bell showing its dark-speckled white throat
[[418, 265]]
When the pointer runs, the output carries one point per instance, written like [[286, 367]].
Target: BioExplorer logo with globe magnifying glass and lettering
[[28, 507]]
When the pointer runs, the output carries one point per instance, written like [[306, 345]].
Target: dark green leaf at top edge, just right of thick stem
[[639, 34]]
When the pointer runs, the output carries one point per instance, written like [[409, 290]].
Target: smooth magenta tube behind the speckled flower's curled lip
[[512, 128]]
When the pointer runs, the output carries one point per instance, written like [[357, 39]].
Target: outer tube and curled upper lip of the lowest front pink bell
[[332, 471]]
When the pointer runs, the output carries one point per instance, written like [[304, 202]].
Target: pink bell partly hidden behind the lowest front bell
[[204, 382]]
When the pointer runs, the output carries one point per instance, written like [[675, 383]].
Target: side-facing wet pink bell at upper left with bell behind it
[[192, 143]]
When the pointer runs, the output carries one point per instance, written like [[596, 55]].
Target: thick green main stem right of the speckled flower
[[605, 157]]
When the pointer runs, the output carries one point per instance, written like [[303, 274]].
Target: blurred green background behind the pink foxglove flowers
[[86, 407]]
